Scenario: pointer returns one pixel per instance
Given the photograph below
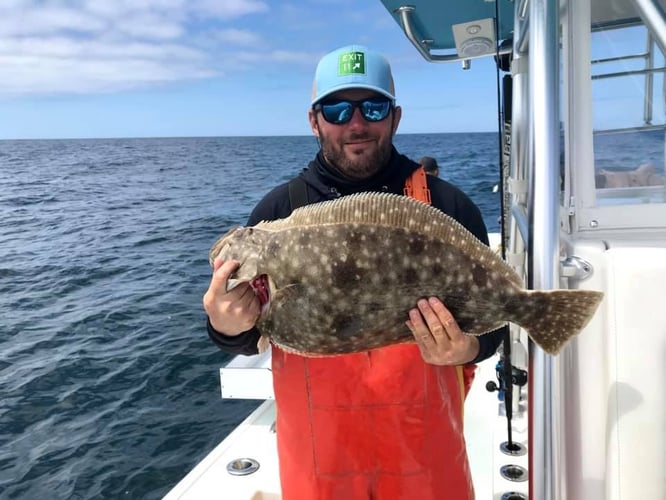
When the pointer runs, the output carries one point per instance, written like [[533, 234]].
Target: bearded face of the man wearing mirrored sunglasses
[[358, 148]]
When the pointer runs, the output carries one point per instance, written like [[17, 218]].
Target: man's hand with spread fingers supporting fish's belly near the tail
[[438, 335]]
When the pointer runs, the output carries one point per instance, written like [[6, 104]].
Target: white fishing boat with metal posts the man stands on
[[588, 424]]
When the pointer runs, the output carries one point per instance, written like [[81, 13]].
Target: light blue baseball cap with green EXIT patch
[[352, 67]]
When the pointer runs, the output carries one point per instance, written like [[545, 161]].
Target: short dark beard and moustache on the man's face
[[361, 165]]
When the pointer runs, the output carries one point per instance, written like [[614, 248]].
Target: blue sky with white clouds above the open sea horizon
[[181, 68]]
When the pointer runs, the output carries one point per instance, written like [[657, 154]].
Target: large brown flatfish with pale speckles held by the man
[[343, 275]]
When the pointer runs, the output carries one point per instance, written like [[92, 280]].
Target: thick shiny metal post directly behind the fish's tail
[[545, 458]]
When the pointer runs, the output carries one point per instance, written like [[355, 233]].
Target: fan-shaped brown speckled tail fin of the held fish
[[553, 317]]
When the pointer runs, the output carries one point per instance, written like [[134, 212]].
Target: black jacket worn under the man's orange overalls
[[323, 182]]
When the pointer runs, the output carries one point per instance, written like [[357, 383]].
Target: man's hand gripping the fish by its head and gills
[[233, 312]]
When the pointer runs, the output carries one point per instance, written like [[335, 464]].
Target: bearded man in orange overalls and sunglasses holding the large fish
[[382, 424]]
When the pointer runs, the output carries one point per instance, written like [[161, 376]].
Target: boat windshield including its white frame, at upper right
[[613, 110]]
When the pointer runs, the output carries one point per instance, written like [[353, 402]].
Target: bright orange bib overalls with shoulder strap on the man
[[380, 425]]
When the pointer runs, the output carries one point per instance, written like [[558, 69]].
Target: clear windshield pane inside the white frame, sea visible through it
[[628, 116]]
